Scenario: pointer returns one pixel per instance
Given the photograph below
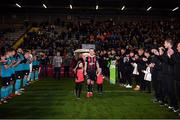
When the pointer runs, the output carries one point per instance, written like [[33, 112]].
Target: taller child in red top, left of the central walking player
[[79, 73]]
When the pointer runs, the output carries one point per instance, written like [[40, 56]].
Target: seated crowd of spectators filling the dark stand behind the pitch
[[104, 35]]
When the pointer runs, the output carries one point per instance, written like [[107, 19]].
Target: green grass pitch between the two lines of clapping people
[[51, 98]]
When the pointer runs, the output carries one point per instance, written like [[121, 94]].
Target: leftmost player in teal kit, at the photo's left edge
[[6, 76]]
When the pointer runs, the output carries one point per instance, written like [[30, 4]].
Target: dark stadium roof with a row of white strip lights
[[128, 6]]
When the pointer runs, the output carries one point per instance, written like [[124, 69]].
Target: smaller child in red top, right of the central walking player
[[99, 81]]
